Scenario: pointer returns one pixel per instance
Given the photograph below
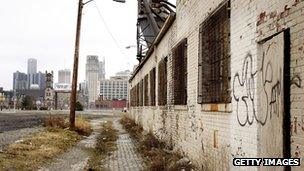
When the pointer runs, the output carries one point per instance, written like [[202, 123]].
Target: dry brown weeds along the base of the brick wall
[[157, 158]]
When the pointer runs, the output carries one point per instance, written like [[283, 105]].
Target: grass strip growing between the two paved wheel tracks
[[105, 145]]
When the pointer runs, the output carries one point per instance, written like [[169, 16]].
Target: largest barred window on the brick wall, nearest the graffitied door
[[214, 58]]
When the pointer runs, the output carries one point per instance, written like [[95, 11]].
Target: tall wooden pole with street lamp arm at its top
[[76, 59]]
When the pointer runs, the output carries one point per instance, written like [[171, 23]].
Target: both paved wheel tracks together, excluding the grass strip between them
[[125, 158]]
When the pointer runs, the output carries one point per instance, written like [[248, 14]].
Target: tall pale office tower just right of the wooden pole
[[92, 78]]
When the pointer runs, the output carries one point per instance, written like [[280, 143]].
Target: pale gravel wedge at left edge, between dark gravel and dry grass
[[10, 137]]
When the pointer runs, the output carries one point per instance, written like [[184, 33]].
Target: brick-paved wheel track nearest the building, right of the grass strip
[[125, 158]]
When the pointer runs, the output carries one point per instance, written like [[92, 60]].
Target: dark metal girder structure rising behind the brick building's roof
[[152, 15]]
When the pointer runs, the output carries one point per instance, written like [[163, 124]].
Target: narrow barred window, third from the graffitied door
[[162, 82]]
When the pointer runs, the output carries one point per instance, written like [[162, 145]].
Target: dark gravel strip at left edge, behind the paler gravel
[[12, 121]]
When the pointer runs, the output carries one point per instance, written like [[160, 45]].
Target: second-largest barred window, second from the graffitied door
[[180, 73]]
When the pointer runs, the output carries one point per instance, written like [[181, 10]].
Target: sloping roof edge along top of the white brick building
[[169, 21]]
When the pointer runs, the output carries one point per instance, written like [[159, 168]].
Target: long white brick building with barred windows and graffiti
[[223, 79]]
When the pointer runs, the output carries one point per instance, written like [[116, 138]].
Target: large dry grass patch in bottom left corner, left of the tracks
[[35, 151]]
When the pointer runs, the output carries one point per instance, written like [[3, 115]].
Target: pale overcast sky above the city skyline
[[45, 30]]
